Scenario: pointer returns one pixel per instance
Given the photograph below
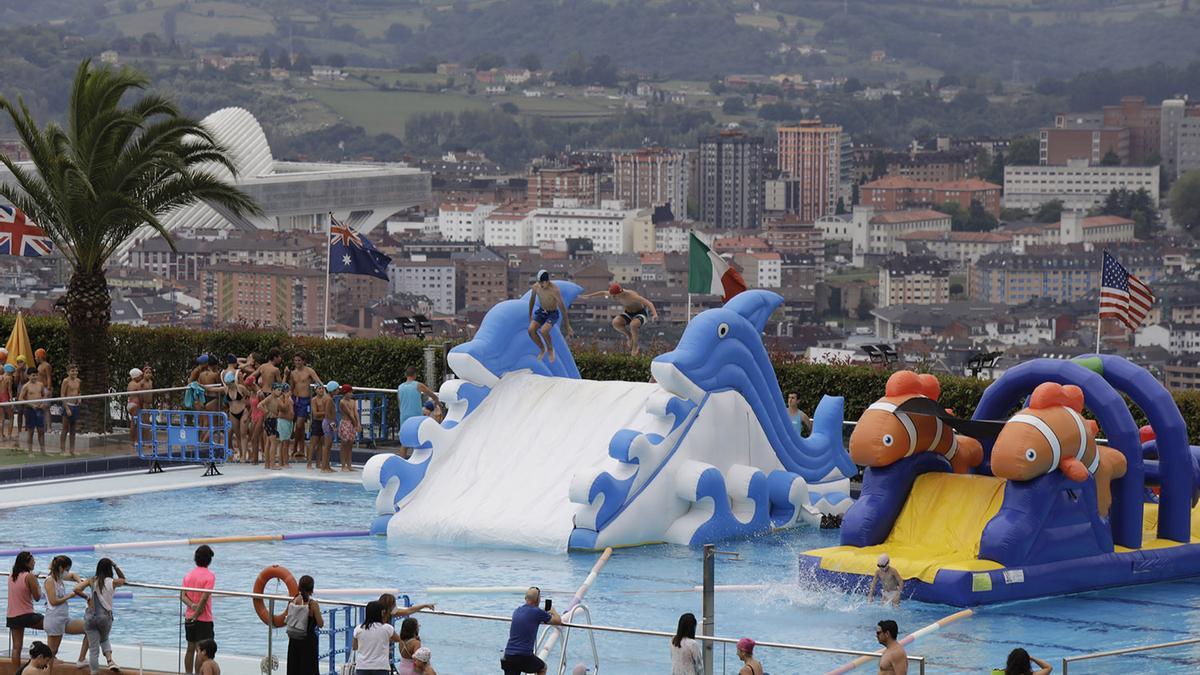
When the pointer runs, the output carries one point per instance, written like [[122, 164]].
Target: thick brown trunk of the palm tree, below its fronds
[[88, 308]]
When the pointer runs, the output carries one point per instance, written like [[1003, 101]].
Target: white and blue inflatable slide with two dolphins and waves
[[532, 456]]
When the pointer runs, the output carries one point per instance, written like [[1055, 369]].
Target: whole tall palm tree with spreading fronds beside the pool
[[110, 172]]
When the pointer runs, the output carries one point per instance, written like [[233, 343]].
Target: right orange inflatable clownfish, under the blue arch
[[1052, 434]]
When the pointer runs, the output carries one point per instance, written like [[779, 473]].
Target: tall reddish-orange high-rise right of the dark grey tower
[[811, 153]]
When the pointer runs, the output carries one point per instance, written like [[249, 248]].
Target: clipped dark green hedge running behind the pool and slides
[[381, 362]]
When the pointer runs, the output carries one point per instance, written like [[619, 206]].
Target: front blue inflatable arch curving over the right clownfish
[[1111, 410]]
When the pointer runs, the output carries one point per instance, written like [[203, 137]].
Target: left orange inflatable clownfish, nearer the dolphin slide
[[885, 437]]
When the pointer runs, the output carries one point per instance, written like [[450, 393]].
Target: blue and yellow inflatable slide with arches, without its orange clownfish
[[975, 539]]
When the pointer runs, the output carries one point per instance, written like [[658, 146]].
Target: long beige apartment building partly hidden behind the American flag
[[1063, 277]]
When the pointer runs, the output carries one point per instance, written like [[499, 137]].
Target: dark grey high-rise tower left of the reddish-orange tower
[[731, 180]]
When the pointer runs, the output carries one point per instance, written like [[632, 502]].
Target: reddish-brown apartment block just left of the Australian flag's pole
[[265, 296]]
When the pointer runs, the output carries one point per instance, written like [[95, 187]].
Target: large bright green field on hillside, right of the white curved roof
[[387, 112]]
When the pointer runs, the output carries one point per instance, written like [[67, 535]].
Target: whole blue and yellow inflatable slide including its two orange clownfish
[[1045, 510]]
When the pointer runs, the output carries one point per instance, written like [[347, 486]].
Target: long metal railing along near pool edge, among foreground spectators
[[333, 659]]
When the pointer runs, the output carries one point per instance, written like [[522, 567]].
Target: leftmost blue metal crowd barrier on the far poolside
[[190, 437]]
